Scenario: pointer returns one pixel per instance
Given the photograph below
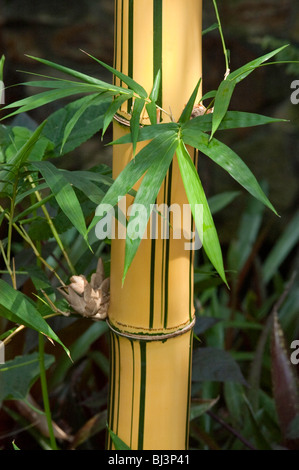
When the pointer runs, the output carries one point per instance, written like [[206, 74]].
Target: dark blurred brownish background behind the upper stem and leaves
[[57, 29]]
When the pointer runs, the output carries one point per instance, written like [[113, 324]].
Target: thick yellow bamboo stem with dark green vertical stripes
[[151, 315]]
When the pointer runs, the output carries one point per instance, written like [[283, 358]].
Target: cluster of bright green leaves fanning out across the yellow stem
[[167, 140]]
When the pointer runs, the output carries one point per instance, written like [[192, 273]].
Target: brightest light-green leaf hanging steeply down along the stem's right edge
[[196, 195]]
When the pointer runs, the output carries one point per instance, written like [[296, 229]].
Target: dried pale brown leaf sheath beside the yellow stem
[[89, 299]]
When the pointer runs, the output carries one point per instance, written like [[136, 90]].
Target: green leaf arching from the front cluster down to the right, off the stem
[[229, 161]]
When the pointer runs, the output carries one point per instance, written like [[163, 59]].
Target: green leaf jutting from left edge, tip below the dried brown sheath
[[18, 308]]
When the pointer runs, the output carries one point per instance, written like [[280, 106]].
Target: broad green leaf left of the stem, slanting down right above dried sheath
[[64, 194]]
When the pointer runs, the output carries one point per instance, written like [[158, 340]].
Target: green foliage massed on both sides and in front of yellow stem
[[242, 375]]
